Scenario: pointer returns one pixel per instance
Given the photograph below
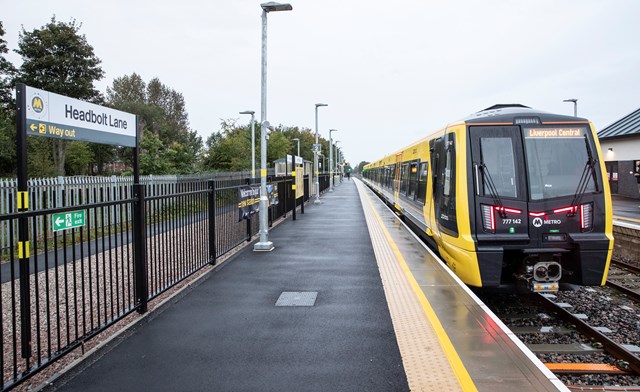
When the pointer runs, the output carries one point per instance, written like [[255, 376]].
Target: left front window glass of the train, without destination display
[[498, 159]]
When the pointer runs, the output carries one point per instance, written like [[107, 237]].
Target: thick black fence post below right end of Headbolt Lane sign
[[139, 252]]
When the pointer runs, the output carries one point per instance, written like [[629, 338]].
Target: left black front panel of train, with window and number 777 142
[[498, 182]]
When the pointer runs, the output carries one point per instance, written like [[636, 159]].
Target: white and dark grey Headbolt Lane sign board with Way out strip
[[59, 117]]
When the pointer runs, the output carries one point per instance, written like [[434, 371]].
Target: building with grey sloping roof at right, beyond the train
[[620, 143]]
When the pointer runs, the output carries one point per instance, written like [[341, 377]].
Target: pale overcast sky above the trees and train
[[391, 71]]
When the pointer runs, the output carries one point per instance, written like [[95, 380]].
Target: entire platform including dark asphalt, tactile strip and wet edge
[[334, 307]]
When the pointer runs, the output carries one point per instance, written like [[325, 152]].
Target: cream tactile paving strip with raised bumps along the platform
[[425, 362]]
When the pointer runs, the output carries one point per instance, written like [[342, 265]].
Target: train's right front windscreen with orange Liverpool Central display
[[557, 159]]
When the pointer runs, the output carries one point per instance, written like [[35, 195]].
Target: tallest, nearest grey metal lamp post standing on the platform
[[264, 244]]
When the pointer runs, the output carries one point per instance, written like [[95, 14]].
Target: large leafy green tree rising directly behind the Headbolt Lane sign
[[57, 58]]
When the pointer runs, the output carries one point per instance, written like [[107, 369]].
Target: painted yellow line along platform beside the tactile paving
[[466, 383]]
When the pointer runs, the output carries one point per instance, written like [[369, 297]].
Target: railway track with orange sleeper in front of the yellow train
[[579, 353]]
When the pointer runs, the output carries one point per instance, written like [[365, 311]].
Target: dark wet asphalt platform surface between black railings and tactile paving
[[227, 334]]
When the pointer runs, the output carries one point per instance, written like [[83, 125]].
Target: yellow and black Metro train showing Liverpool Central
[[510, 197]]
